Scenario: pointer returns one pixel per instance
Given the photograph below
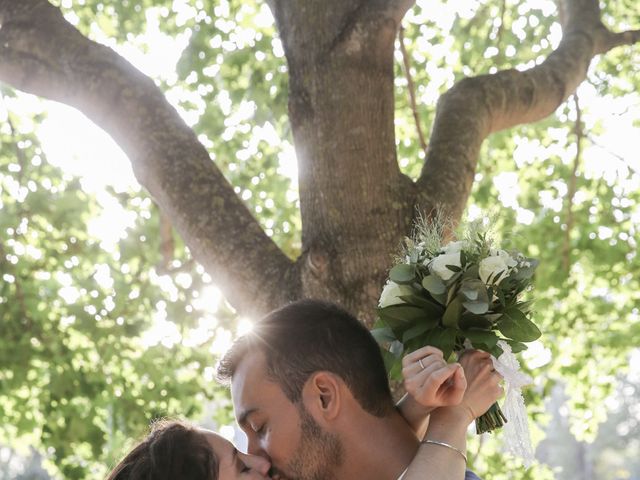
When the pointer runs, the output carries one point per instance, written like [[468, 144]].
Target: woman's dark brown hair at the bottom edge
[[172, 450]]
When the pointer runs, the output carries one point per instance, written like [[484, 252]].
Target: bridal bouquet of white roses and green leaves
[[465, 294]]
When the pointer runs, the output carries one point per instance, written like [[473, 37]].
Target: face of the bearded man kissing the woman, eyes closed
[[298, 448]]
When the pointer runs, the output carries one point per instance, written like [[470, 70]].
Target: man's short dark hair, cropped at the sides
[[308, 336]]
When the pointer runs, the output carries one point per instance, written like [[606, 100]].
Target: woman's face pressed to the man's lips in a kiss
[[236, 465]]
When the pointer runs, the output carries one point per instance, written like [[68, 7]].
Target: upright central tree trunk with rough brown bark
[[355, 204]]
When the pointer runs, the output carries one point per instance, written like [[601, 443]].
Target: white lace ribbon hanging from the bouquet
[[517, 439]]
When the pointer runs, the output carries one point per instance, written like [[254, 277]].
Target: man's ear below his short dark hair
[[322, 395]]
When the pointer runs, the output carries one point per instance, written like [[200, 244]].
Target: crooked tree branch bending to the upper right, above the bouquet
[[475, 107]]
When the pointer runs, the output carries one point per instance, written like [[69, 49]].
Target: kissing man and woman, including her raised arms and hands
[[311, 392]]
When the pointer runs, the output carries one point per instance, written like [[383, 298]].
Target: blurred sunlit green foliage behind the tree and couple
[[81, 370]]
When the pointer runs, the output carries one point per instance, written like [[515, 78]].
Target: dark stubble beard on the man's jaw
[[318, 454]]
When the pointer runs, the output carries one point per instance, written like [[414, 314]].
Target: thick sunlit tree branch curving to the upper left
[[41, 53]]
